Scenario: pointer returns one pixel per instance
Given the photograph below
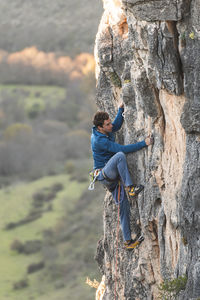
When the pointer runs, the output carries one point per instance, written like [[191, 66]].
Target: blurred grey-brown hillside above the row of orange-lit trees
[[61, 26]]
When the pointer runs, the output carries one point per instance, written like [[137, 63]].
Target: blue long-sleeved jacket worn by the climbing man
[[104, 147]]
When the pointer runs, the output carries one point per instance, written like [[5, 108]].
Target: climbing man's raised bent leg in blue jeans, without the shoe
[[117, 166]]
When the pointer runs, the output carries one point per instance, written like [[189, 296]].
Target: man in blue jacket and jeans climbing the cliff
[[111, 169]]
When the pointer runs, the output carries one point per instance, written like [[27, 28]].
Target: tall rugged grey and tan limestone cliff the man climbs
[[147, 55]]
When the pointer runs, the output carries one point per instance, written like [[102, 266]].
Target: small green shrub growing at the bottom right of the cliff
[[170, 289]]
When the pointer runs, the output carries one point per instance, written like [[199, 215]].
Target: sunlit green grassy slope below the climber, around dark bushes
[[16, 202]]
